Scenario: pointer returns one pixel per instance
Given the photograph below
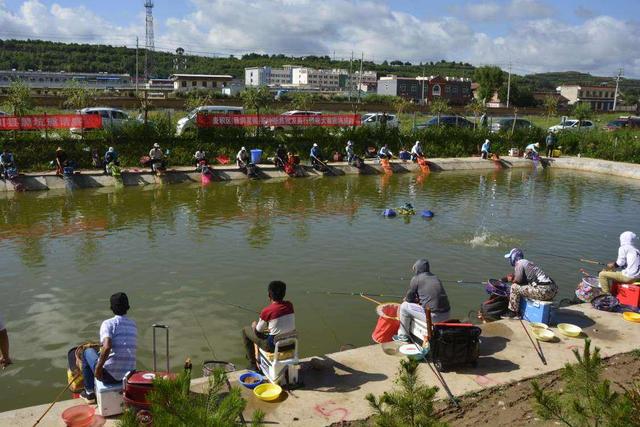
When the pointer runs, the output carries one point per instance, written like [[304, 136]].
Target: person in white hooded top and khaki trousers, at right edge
[[628, 259]]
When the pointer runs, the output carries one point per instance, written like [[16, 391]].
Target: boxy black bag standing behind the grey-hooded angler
[[454, 344]]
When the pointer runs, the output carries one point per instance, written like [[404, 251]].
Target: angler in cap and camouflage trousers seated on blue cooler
[[528, 281]]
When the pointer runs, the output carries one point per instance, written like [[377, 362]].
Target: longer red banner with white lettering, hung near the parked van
[[268, 120]]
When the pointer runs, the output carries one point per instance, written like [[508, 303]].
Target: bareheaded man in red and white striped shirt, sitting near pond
[[275, 319]]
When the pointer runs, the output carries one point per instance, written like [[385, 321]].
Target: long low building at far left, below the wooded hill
[[61, 80]]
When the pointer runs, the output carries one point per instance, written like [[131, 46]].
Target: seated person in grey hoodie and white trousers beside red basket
[[425, 291]]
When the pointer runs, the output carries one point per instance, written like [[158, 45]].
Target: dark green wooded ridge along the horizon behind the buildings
[[73, 57]]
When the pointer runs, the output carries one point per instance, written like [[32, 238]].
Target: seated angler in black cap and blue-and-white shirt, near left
[[118, 337]]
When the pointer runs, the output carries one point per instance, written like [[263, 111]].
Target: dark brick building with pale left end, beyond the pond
[[457, 91]]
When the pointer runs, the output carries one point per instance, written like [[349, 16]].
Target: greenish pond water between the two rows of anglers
[[179, 250]]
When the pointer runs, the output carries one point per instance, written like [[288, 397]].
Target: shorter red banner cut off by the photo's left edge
[[50, 121]]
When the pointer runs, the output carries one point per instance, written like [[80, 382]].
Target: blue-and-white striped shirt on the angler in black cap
[[124, 335]]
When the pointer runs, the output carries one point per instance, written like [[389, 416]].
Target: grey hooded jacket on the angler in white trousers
[[426, 289]]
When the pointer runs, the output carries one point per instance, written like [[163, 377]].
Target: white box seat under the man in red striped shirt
[[281, 371]]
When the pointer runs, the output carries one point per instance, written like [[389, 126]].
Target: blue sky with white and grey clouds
[[598, 37]]
